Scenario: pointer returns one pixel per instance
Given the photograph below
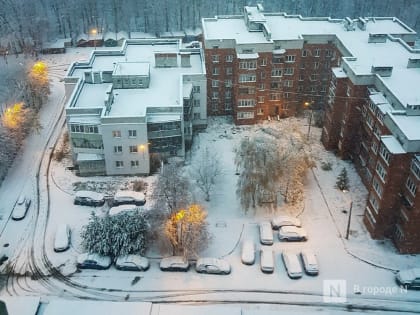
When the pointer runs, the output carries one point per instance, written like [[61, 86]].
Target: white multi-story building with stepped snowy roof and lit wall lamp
[[126, 106]]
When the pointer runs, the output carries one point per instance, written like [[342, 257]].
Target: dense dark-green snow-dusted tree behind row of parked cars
[[121, 234]]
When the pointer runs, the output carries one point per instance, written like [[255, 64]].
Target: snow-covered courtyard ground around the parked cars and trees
[[364, 264]]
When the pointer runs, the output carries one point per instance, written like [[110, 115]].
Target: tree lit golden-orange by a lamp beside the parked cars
[[187, 231]]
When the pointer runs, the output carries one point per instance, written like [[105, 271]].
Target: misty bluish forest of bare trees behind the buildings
[[38, 21]]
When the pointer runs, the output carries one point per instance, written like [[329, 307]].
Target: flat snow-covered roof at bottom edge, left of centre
[[67, 307]]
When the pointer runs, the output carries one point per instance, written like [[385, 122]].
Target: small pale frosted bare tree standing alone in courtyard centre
[[206, 171]]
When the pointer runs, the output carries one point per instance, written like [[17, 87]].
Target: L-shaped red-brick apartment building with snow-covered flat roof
[[364, 73]]
